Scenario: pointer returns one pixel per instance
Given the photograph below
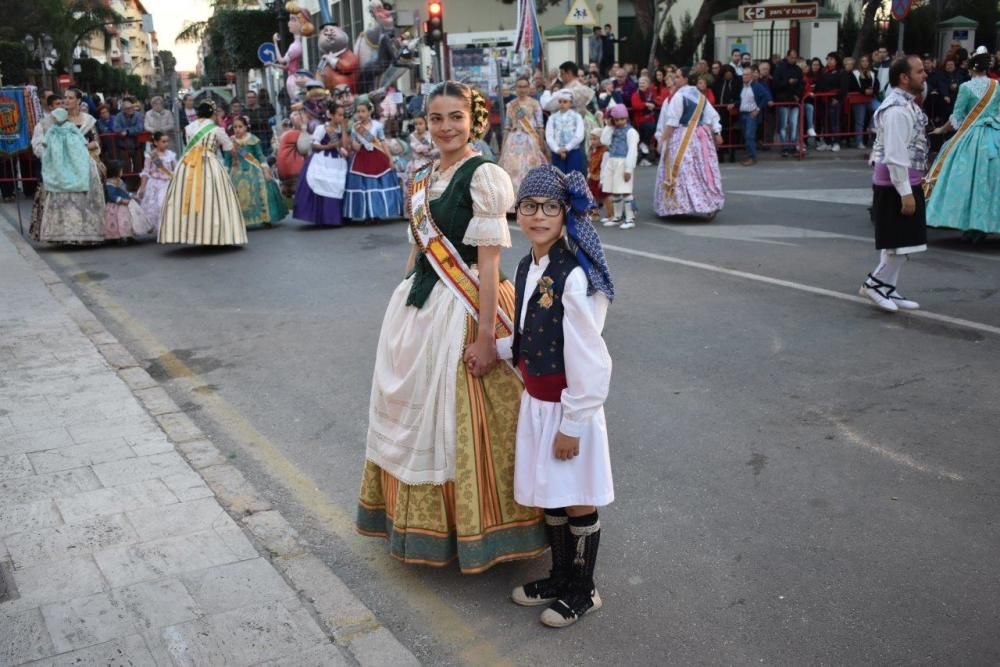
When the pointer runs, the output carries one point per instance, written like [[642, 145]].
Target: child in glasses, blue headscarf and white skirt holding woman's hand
[[562, 461]]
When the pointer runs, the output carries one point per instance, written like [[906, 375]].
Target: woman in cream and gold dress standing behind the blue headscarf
[[524, 135]]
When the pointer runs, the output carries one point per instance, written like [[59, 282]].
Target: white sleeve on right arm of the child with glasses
[[586, 358]]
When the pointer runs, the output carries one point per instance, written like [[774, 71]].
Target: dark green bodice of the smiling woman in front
[[452, 212]]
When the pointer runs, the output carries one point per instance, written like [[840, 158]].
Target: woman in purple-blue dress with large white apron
[[319, 194]]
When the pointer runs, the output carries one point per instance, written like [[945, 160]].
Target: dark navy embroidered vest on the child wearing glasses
[[539, 348]]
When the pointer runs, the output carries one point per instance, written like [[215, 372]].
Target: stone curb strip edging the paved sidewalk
[[343, 617]]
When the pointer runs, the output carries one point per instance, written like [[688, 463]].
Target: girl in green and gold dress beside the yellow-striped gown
[[260, 198]]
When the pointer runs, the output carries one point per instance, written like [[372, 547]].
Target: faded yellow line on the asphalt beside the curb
[[448, 626]]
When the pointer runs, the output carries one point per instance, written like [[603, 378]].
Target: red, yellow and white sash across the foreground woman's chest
[[442, 255]]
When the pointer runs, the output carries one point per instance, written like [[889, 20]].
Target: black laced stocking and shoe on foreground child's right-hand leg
[[581, 595]]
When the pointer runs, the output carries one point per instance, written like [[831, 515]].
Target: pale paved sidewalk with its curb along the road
[[114, 549]]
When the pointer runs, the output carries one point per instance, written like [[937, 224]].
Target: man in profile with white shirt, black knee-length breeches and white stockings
[[900, 159]]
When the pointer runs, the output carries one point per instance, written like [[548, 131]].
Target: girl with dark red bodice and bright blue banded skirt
[[373, 191]]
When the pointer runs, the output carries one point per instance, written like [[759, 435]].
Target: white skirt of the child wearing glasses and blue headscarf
[[541, 480]]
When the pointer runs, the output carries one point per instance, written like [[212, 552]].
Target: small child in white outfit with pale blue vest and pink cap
[[622, 141]]
